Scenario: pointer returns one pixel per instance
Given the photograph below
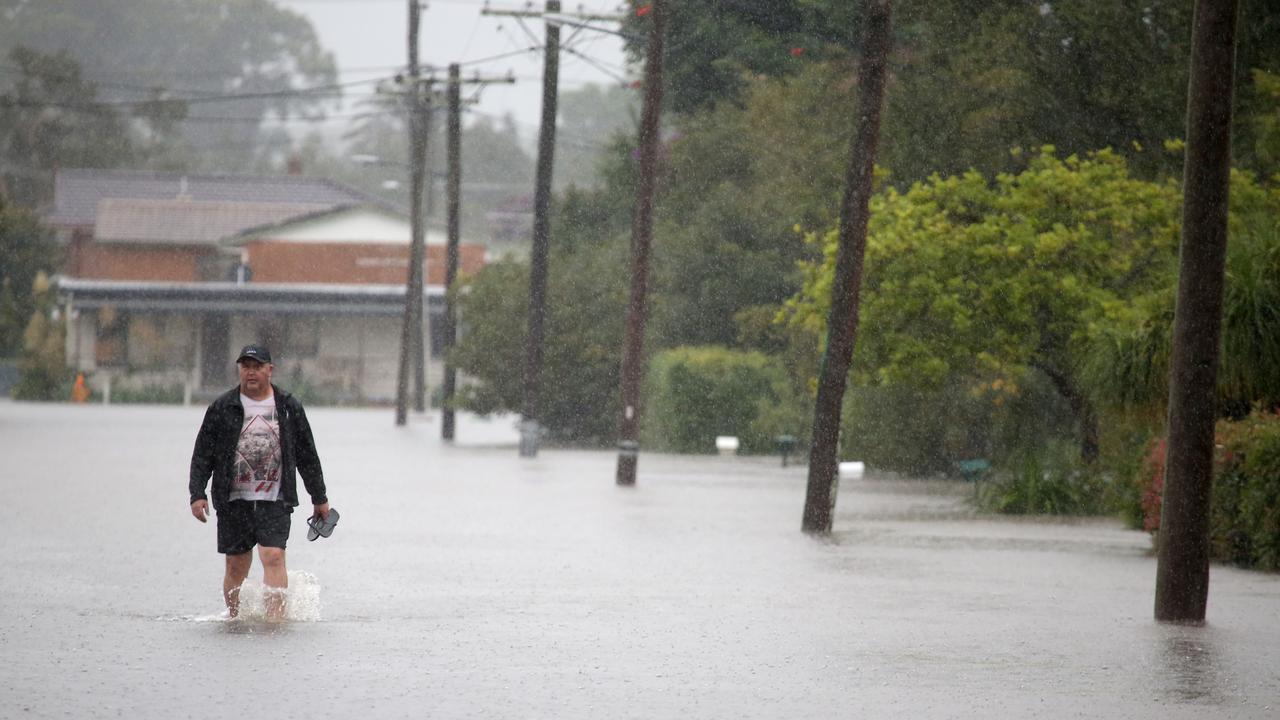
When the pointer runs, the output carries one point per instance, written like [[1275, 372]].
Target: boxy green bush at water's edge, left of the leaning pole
[[697, 394]]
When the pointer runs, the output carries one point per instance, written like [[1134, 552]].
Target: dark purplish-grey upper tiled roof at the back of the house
[[77, 193]]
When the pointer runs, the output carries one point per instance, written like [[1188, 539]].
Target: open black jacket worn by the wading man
[[216, 450]]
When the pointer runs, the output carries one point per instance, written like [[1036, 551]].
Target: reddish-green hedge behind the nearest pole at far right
[[1245, 521]]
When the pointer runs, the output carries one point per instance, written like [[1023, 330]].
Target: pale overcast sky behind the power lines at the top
[[369, 39]]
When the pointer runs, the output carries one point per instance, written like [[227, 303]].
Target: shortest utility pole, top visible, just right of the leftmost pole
[[451, 262]]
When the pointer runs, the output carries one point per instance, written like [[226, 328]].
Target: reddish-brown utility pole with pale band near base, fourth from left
[[642, 235]]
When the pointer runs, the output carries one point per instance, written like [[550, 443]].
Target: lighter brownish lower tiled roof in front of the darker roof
[[189, 221]]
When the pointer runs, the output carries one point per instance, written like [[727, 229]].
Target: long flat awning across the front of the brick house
[[301, 299]]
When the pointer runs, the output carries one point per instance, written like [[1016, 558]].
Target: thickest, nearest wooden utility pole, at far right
[[1182, 573]]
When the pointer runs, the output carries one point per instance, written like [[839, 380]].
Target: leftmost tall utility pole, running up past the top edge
[[412, 331]]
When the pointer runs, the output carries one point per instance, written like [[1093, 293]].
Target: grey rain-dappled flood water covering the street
[[465, 582]]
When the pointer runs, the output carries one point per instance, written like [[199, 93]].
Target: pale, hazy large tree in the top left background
[[199, 52]]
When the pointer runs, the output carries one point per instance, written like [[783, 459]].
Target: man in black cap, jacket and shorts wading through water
[[254, 441]]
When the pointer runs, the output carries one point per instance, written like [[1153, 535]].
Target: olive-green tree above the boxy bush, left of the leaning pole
[[738, 184]]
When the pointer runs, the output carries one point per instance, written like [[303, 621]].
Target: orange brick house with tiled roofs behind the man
[[168, 275]]
